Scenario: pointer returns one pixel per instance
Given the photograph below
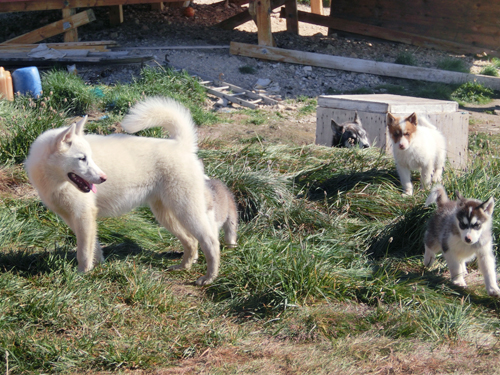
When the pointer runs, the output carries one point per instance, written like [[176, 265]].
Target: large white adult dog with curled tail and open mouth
[[64, 164]]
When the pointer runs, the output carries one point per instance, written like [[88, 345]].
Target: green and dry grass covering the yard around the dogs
[[329, 255]]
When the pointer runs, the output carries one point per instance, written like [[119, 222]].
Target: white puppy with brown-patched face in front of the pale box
[[417, 144]]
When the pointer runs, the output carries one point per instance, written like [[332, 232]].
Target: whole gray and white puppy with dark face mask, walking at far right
[[461, 229]]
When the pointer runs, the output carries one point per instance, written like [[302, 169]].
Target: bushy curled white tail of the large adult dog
[[164, 112]]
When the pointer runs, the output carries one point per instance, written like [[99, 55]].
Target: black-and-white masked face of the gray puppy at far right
[[471, 218]]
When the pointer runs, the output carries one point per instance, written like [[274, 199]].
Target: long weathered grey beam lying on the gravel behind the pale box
[[361, 66]]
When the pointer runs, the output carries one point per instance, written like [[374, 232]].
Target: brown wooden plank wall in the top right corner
[[471, 22]]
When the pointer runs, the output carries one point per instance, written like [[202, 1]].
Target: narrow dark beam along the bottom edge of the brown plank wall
[[384, 33]]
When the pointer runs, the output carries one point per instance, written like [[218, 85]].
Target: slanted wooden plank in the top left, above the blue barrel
[[55, 28]]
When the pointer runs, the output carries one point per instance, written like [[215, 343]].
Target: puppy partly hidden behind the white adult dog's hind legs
[[222, 206]]
